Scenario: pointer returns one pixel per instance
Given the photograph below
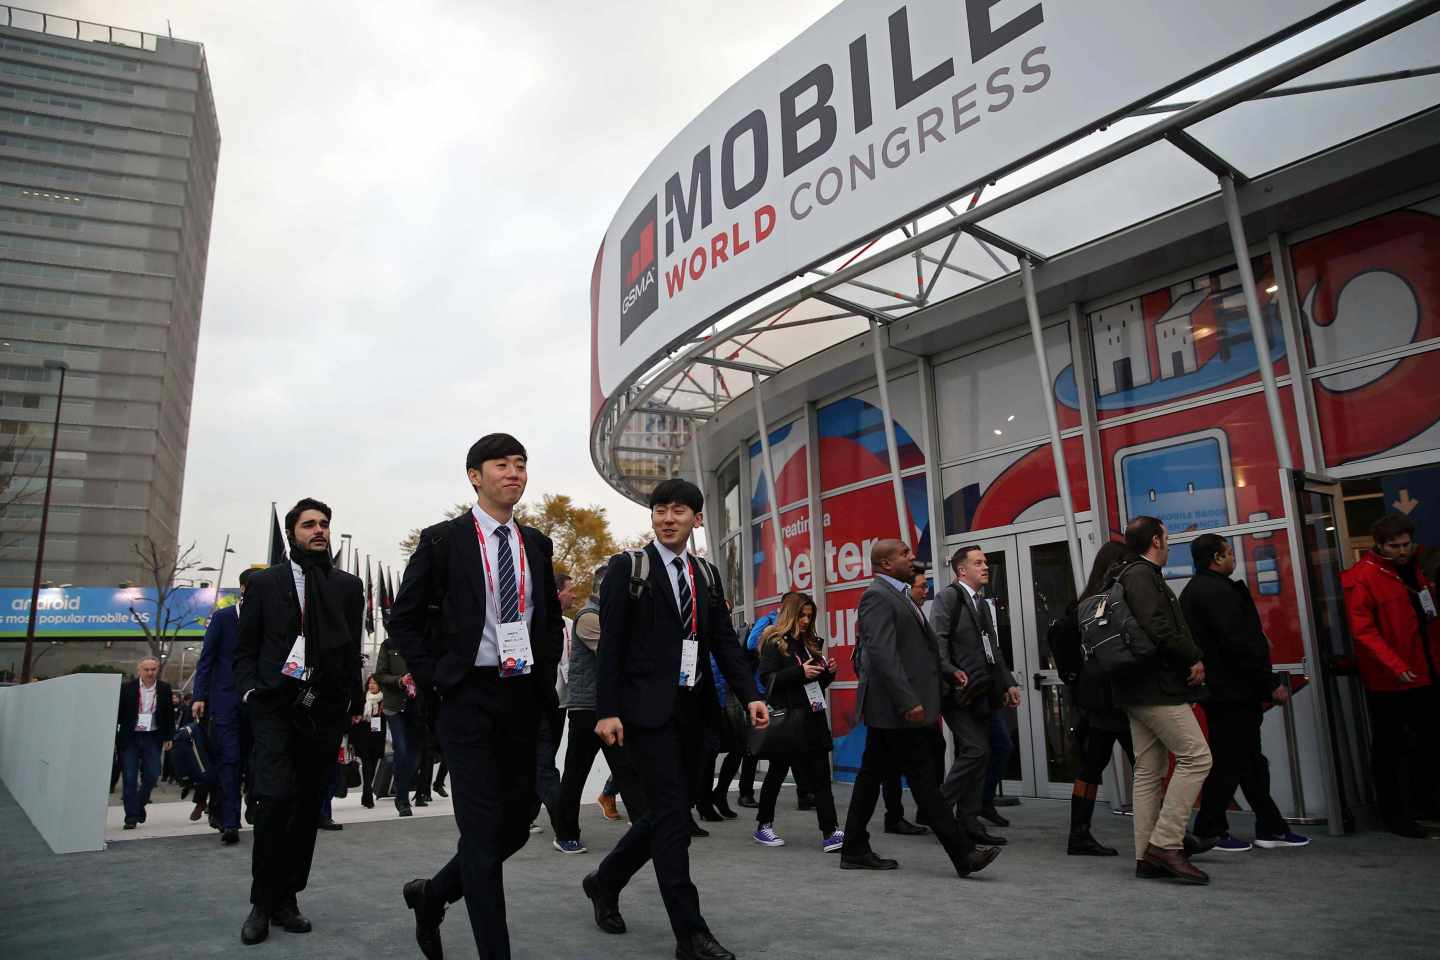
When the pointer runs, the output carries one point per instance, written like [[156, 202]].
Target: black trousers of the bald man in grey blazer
[[911, 753]]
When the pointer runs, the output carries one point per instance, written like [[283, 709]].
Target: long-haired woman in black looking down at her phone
[[796, 674]]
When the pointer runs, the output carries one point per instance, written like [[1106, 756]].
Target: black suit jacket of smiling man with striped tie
[[449, 572]]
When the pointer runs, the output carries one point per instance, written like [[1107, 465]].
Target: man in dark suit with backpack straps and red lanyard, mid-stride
[[659, 635]]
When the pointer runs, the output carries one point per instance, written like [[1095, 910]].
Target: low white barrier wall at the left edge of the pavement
[[57, 742]]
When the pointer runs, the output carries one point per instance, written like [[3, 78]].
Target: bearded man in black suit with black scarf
[[297, 666]]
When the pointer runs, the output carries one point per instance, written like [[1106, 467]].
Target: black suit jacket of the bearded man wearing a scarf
[[270, 624]]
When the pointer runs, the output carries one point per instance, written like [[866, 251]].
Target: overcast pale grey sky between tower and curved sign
[[411, 199]]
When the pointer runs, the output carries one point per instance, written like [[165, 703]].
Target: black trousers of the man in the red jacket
[[1403, 755]]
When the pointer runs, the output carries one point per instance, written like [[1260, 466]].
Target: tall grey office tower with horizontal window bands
[[109, 153]]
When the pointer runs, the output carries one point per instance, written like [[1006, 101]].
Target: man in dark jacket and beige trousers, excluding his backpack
[[1157, 694]]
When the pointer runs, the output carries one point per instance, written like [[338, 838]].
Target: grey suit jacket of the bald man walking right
[[899, 660]]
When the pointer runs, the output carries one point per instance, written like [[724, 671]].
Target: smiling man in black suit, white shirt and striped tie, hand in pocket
[[479, 621]]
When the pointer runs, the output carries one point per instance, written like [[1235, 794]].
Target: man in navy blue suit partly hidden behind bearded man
[[215, 694]]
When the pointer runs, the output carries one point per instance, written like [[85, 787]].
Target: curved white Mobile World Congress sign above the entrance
[[878, 112]]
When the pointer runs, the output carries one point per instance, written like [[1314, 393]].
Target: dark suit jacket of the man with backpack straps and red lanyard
[[639, 670]]
